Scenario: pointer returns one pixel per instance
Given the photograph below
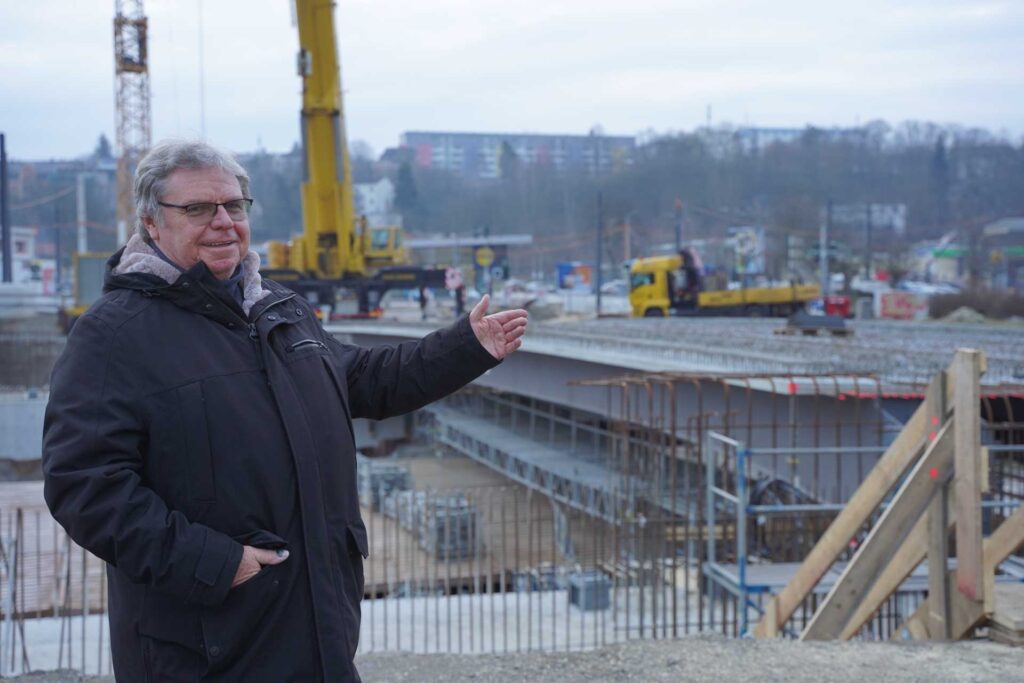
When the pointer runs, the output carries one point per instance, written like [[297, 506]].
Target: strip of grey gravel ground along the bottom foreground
[[696, 659]]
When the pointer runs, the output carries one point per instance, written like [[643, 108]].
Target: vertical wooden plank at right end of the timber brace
[[967, 416]]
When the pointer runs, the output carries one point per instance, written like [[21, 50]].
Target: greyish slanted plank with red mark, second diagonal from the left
[[908, 506]]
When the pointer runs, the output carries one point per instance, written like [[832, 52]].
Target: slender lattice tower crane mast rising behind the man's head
[[132, 70]]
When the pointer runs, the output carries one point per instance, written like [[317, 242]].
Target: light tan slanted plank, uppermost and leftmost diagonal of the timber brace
[[891, 467]]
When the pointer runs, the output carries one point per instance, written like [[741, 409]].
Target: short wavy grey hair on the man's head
[[167, 157]]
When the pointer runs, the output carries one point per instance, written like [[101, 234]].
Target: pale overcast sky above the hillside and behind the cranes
[[530, 66]]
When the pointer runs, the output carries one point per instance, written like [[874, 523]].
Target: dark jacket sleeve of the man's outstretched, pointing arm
[[390, 380]]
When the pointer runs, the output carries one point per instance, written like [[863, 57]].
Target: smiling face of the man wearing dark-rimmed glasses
[[218, 241]]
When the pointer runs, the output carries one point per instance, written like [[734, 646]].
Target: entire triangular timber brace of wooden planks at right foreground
[[942, 472]]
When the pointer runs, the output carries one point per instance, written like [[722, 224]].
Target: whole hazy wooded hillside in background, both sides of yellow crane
[[950, 179]]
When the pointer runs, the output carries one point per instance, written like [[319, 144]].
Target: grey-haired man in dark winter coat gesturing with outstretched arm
[[199, 440]]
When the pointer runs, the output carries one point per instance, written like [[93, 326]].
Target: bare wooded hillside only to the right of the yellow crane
[[947, 177]]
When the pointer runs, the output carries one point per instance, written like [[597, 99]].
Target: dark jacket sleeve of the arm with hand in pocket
[[94, 440]]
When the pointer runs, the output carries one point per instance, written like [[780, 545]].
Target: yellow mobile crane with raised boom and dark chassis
[[336, 251]]
